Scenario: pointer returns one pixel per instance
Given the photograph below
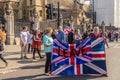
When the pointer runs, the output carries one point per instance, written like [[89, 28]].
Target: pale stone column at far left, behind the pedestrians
[[9, 16]]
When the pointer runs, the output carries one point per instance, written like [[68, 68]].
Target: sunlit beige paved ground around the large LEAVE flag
[[34, 70]]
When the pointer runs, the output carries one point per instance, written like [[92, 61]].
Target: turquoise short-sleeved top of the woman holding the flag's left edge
[[47, 40]]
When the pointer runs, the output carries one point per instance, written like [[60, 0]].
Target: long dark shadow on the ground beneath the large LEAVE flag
[[53, 78]]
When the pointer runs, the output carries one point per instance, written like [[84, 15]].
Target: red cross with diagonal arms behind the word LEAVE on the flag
[[72, 54]]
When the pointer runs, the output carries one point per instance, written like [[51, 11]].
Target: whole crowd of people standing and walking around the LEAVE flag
[[31, 41]]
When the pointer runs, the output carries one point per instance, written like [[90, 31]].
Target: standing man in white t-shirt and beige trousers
[[24, 42]]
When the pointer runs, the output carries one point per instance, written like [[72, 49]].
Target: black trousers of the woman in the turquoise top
[[48, 62]]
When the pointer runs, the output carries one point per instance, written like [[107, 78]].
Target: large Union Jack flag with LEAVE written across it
[[87, 57]]
